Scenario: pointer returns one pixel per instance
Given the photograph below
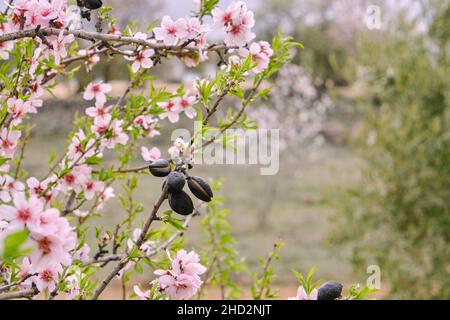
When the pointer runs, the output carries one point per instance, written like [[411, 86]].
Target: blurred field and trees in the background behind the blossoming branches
[[364, 113]]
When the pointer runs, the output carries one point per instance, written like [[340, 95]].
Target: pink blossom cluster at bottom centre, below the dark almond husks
[[182, 281]]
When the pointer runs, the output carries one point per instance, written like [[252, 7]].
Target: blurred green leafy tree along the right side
[[398, 217]]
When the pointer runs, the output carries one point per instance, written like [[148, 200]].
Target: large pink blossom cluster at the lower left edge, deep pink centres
[[51, 238]]
